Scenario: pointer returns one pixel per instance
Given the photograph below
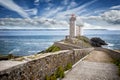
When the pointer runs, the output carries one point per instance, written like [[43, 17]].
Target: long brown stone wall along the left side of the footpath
[[37, 69]]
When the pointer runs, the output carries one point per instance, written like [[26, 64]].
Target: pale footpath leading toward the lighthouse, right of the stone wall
[[98, 65]]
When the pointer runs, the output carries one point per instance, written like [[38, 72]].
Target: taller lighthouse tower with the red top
[[72, 26]]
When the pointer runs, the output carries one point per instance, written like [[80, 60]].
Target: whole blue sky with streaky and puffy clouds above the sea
[[55, 14]]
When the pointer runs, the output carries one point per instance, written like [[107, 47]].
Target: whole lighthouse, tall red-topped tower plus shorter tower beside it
[[74, 30]]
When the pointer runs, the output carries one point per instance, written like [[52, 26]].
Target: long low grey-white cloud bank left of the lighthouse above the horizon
[[34, 23]]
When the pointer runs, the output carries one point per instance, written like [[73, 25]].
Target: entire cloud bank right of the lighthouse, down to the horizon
[[107, 20]]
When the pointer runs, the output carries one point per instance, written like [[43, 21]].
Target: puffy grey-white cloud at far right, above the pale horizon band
[[108, 17]]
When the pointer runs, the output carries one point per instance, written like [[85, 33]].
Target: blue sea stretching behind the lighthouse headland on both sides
[[25, 42]]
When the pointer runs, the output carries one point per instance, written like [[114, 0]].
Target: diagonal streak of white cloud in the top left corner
[[9, 4]]
